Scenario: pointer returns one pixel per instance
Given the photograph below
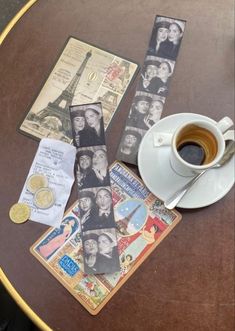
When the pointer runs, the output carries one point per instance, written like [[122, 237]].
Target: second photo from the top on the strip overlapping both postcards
[[92, 167]]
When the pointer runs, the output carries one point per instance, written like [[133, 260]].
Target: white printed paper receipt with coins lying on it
[[54, 160]]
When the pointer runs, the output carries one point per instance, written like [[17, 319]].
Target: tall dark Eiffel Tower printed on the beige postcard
[[59, 108]]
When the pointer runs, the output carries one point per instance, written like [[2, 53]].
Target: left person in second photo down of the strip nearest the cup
[[147, 79]]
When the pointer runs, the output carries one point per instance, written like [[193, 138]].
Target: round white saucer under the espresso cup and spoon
[[162, 181]]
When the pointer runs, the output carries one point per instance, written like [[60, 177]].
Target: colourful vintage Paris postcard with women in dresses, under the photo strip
[[142, 223]]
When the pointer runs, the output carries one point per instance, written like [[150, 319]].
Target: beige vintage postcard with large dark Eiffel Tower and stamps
[[82, 74]]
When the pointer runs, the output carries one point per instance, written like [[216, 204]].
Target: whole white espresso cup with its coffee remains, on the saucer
[[196, 145]]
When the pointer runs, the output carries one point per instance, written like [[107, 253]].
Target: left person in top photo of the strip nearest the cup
[[159, 43]]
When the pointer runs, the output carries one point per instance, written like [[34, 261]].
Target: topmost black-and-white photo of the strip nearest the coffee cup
[[166, 38]]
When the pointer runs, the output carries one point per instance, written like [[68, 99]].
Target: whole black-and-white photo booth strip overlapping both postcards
[[98, 228]]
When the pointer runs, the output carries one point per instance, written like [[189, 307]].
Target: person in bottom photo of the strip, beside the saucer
[[129, 146]]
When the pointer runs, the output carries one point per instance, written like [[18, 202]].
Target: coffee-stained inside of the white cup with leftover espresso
[[196, 145]]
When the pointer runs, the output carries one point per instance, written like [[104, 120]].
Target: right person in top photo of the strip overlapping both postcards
[[94, 119]]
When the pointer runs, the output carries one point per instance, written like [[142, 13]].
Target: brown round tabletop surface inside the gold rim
[[187, 283]]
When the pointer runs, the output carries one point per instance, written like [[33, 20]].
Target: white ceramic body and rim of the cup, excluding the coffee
[[178, 164]]
